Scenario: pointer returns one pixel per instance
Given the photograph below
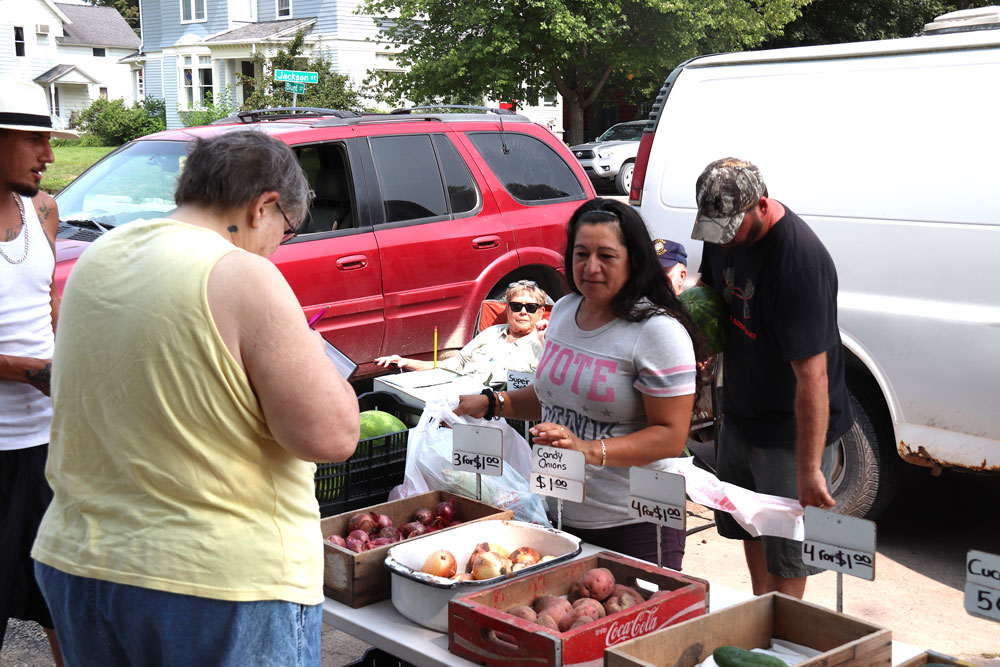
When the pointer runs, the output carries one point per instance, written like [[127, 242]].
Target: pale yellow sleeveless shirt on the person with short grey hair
[[165, 473]]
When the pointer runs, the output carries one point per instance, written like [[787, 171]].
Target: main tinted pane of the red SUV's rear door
[[409, 177]]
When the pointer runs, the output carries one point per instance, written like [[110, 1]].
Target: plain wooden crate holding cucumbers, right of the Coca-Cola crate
[[752, 624]]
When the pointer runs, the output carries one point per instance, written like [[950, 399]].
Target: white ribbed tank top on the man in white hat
[[25, 330]]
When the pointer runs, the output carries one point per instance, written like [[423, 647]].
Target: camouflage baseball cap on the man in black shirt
[[725, 191]]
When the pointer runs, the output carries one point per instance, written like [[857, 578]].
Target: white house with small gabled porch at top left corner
[[73, 51]]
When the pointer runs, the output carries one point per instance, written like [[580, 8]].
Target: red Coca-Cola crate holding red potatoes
[[480, 630]]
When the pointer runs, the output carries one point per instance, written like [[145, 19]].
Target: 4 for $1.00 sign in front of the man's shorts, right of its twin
[[841, 543]]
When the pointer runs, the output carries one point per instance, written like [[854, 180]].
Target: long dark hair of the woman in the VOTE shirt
[[646, 279]]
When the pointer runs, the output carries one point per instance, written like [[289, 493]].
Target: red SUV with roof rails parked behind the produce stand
[[417, 217]]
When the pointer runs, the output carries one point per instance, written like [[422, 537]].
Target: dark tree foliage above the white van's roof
[[838, 21]]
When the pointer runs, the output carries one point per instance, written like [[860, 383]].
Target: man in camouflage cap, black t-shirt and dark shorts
[[785, 402]]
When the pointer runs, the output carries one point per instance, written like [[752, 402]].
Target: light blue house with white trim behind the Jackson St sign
[[194, 47]]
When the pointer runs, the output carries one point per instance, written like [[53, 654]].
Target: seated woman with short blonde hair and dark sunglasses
[[514, 346]]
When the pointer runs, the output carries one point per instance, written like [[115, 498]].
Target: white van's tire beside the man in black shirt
[[868, 471]]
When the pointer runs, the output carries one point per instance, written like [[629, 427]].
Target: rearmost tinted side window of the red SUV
[[530, 171]]
